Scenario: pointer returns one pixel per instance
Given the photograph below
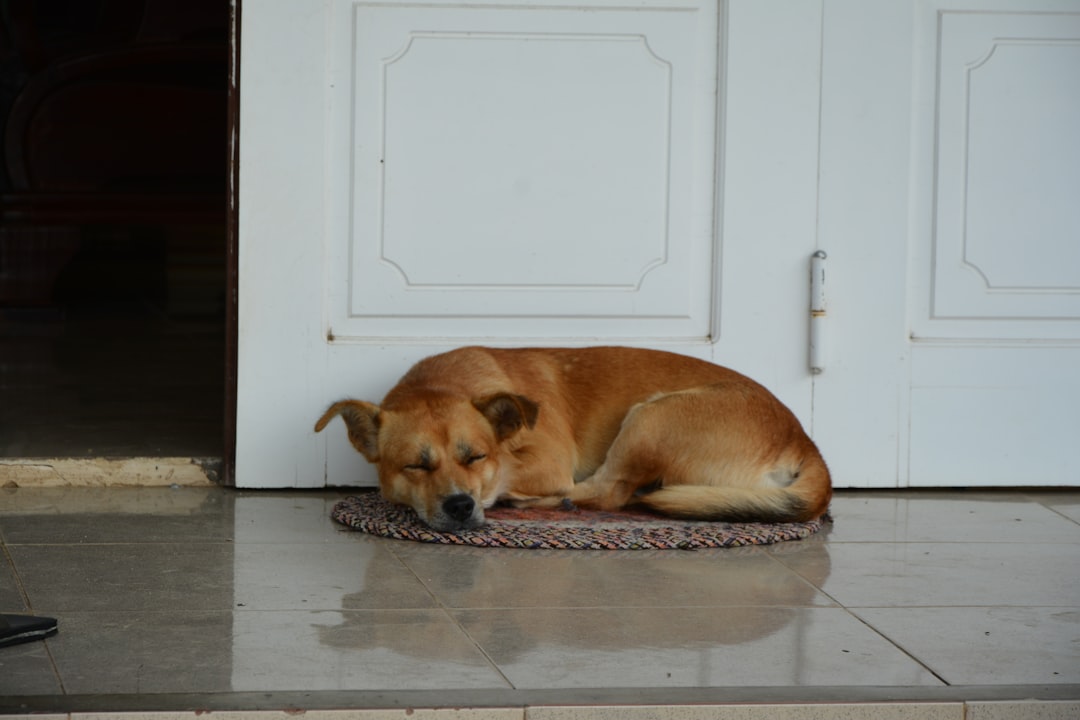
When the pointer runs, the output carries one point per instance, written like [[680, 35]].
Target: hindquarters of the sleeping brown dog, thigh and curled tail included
[[726, 453]]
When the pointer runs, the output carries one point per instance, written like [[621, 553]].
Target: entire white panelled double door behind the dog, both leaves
[[421, 176]]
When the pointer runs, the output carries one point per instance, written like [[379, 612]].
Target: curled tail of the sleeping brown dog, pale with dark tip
[[789, 497]]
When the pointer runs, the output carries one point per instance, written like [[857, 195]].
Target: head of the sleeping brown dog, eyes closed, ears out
[[444, 456]]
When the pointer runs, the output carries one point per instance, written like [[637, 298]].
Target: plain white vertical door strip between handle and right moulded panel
[[860, 399]]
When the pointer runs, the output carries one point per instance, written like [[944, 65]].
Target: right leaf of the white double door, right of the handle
[[951, 212]]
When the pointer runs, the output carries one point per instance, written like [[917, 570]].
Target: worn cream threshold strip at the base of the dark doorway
[[109, 472]]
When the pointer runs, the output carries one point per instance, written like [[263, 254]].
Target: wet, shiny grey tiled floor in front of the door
[[207, 599]]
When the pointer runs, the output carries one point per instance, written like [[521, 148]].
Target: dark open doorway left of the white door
[[114, 193]]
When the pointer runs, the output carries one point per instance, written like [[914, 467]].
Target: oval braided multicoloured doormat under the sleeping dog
[[568, 529]]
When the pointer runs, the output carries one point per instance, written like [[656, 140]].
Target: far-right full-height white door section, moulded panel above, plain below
[[995, 295]]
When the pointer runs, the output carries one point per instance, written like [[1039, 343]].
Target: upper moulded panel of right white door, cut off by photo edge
[[997, 252]]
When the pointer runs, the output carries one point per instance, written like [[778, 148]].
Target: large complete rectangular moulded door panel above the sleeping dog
[[532, 170]]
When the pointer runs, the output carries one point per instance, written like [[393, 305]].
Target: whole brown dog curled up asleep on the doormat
[[606, 428]]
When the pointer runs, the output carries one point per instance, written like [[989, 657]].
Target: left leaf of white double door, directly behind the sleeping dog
[[420, 176]]
